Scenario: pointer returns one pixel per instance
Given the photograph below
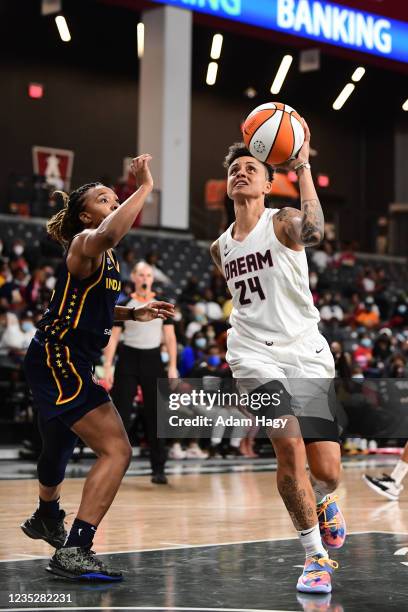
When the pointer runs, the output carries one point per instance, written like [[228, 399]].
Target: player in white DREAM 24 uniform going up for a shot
[[274, 337]]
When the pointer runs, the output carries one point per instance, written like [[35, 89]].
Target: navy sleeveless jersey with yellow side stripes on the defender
[[81, 312]]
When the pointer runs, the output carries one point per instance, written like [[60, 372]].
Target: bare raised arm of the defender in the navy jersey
[[114, 227]]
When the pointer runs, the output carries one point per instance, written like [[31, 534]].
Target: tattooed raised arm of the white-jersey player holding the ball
[[305, 226]]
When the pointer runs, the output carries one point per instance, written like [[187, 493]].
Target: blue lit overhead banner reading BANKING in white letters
[[315, 19]]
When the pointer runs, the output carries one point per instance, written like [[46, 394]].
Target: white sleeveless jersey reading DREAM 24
[[269, 284]]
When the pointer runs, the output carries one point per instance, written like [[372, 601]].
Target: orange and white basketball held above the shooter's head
[[273, 133]]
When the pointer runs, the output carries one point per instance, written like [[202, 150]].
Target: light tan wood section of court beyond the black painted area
[[194, 509]]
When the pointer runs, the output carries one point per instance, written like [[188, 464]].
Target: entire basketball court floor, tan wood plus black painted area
[[212, 541]]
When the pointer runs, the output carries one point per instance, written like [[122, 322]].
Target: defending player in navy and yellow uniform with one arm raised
[[59, 369]]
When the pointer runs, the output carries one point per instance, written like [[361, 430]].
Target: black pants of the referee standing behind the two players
[[140, 367]]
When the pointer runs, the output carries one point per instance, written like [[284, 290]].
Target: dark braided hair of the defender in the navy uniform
[[63, 226]]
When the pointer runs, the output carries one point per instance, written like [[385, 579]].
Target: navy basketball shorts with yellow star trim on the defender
[[62, 383]]
